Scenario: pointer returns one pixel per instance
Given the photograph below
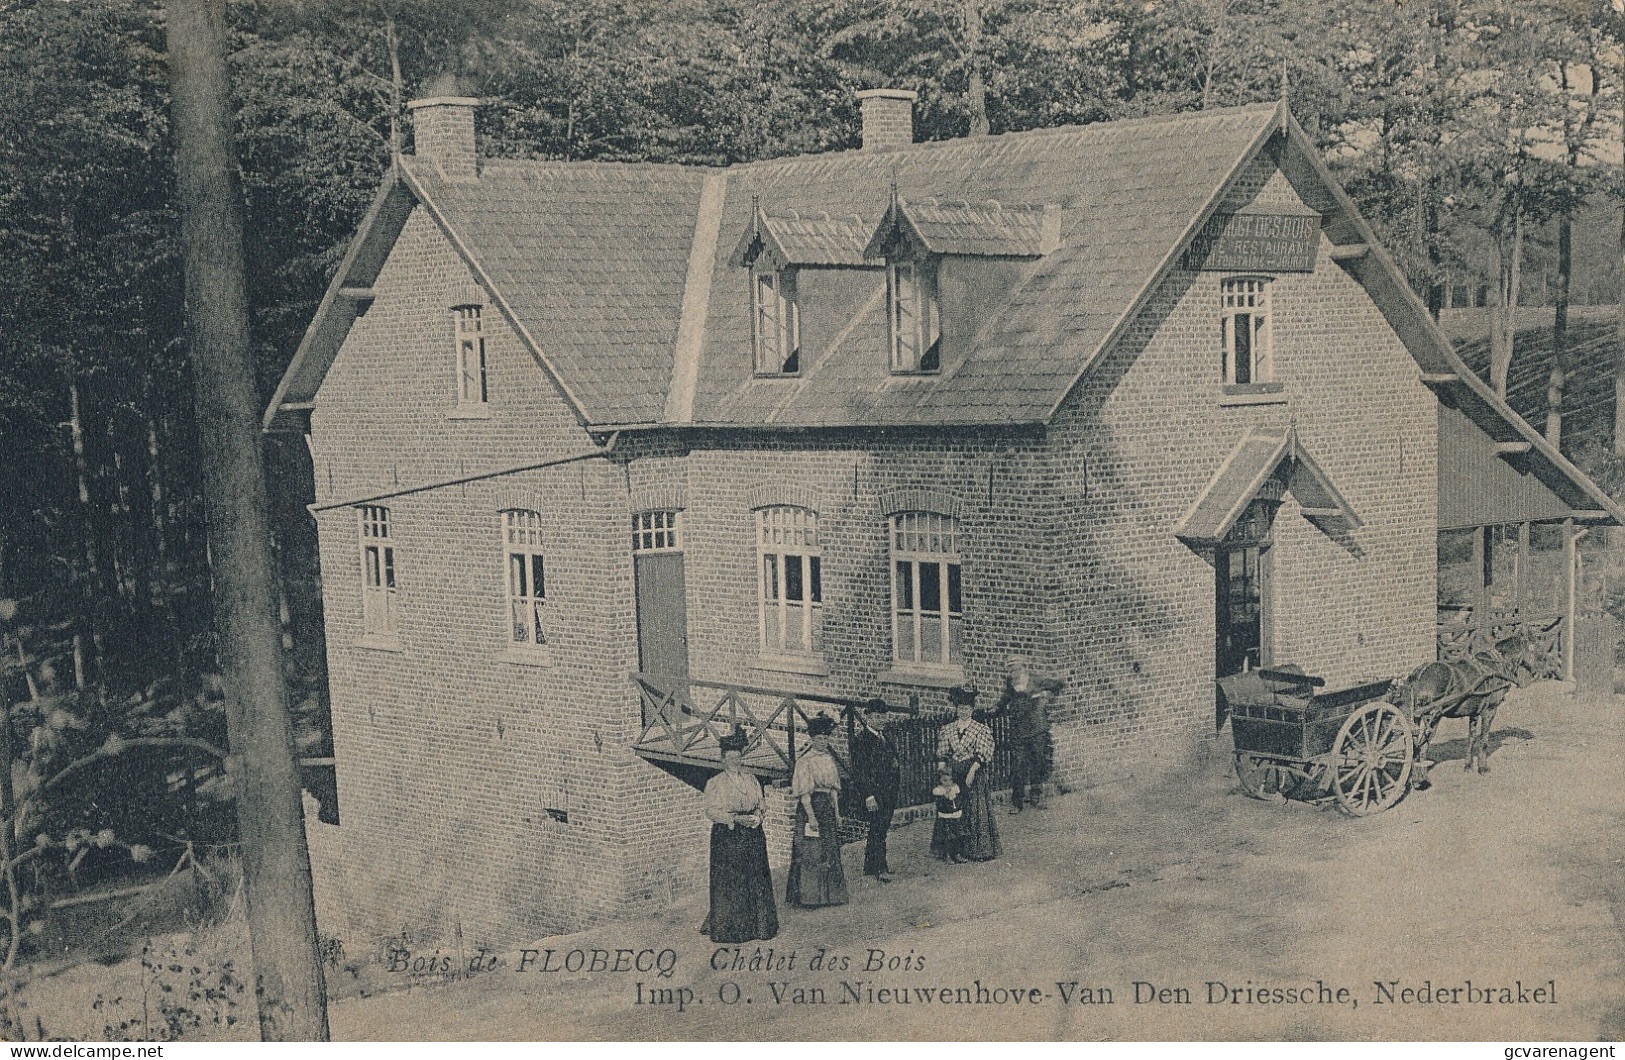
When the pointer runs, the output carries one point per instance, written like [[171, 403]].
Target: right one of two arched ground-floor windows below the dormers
[[929, 617]]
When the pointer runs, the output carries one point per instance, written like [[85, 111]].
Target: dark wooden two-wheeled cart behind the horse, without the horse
[[1291, 737]]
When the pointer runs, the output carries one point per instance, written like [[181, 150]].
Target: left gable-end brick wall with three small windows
[[449, 752]]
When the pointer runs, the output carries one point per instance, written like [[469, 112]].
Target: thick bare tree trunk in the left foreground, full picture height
[[275, 861]]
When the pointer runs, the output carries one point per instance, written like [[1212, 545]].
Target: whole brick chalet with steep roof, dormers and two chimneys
[[1143, 401]]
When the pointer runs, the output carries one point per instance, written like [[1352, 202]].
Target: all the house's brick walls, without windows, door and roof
[[451, 754]]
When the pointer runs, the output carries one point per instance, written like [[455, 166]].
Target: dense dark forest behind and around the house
[[1471, 132]]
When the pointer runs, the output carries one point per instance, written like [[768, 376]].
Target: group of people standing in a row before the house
[[742, 887]]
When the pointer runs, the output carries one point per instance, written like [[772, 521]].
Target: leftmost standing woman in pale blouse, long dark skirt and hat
[[742, 893]]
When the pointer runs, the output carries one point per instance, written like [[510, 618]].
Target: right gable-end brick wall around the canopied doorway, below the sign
[[1133, 619]]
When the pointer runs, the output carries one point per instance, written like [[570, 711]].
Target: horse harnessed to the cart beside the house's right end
[[1473, 689]]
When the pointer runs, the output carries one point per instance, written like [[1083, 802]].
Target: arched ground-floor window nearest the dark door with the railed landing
[[792, 581]]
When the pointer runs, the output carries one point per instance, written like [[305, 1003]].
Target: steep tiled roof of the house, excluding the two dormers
[[600, 267]]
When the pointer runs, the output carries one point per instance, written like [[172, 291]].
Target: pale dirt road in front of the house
[[1510, 882]]
